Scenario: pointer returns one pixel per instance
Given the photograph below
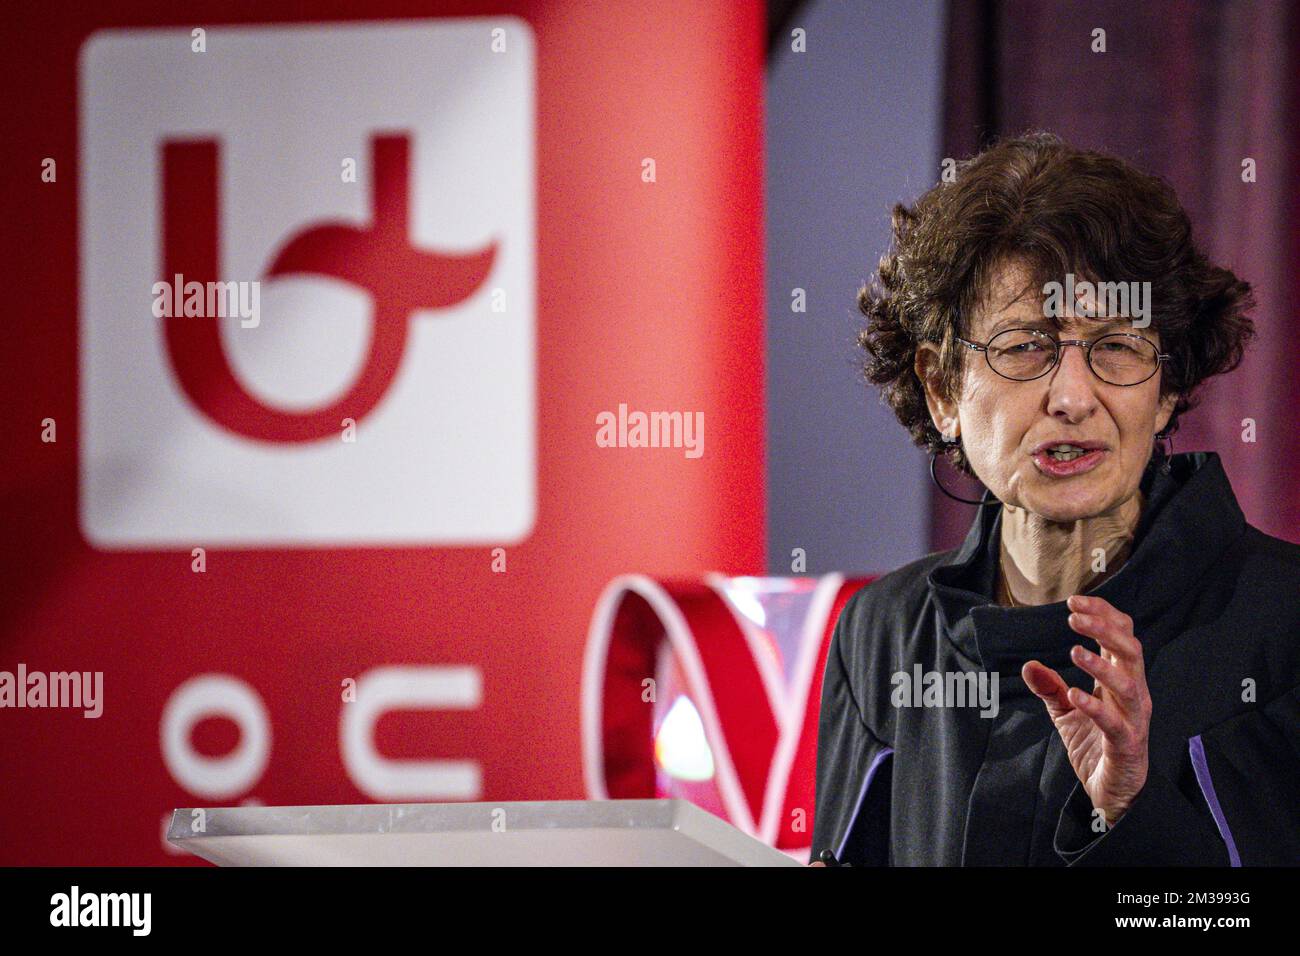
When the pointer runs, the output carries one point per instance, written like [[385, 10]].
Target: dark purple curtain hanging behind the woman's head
[[1186, 90]]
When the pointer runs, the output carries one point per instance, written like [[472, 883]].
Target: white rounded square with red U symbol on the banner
[[445, 449]]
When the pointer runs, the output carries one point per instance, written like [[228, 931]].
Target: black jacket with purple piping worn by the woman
[[1216, 604]]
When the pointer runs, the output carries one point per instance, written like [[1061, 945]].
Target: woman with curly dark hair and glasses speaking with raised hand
[[1107, 671]]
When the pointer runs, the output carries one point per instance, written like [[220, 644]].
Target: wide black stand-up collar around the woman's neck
[[1191, 516]]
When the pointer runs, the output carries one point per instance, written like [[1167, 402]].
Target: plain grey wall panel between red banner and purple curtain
[[853, 127]]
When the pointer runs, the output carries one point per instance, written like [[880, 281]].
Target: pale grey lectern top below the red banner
[[551, 833]]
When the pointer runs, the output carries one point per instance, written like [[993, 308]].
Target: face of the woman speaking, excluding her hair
[[1003, 422]]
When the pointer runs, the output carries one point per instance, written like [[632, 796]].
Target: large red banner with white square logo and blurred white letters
[[343, 543]]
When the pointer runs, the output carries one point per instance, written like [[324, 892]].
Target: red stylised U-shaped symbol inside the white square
[[380, 259]]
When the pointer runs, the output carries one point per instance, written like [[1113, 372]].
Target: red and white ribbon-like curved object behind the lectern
[[747, 728]]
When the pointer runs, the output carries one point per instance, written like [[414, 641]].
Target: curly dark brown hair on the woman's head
[[1056, 209]]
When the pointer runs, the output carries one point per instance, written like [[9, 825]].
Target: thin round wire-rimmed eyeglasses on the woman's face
[[1120, 358]]
